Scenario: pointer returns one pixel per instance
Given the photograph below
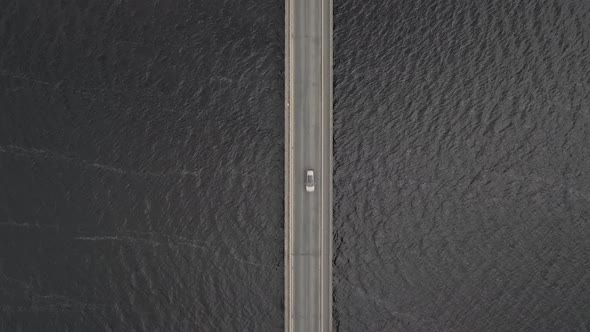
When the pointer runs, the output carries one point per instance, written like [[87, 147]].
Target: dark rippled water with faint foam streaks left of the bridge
[[141, 165]]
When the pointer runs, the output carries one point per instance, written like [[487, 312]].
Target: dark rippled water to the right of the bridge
[[462, 151]]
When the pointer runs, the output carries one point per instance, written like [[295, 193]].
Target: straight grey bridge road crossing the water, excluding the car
[[308, 120]]
